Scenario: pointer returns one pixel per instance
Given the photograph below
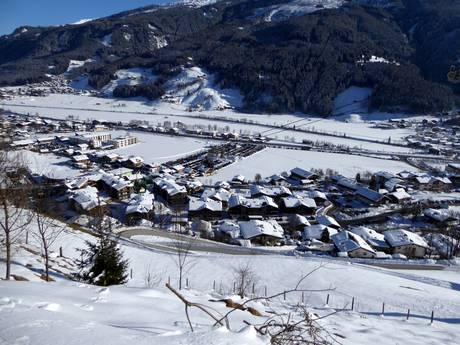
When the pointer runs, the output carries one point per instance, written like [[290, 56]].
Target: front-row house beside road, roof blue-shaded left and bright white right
[[354, 245]]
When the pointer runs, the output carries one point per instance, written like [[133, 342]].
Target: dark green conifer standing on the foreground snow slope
[[102, 263]]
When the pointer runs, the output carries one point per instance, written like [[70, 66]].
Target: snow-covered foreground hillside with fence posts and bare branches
[[66, 312]]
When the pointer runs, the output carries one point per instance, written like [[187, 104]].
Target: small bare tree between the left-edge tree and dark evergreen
[[47, 232]]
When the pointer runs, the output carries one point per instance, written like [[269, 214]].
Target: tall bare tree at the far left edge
[[14, 218]]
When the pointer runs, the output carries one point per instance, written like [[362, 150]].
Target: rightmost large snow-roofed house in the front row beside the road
[[407, 243]]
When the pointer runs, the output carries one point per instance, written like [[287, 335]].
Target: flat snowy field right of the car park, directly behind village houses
[[274, 161]]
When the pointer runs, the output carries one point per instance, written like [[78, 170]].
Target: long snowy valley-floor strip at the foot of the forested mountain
[[84, 107]]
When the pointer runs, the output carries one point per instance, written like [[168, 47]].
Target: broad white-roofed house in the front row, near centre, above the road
[[262, 232]]
